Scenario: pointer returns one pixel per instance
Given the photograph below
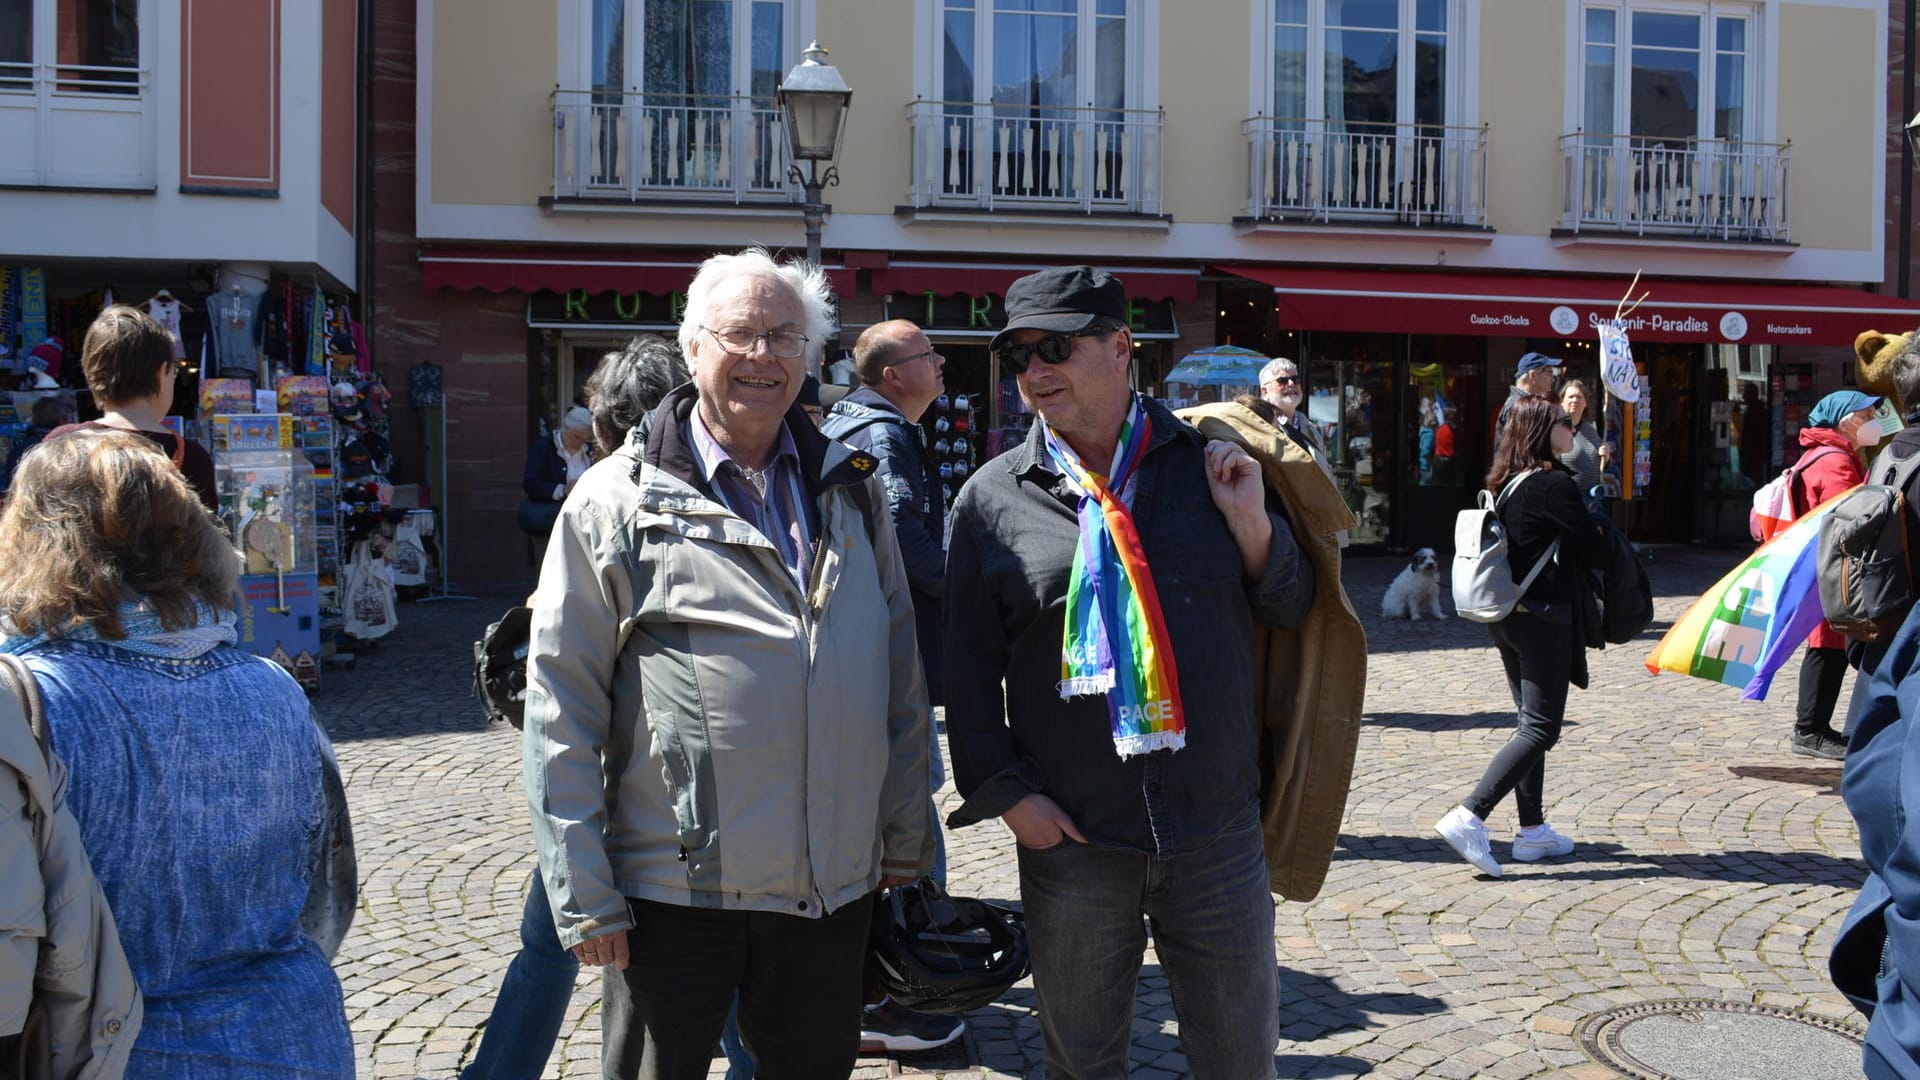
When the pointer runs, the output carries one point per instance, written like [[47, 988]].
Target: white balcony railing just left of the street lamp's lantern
[[631, 147]]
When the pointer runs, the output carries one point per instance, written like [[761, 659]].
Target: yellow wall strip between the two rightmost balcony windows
[[1524, 91]]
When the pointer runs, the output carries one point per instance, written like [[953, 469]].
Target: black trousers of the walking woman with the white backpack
[[1539, 660]]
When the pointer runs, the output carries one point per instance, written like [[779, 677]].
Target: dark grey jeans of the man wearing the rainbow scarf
[[1212, 923]]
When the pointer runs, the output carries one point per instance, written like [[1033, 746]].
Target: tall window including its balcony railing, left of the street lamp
[[677, 95]]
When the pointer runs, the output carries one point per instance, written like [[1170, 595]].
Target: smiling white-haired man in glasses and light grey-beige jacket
[[727, 725]]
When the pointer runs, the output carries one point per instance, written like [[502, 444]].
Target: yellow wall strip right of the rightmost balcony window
[[1827, 109]]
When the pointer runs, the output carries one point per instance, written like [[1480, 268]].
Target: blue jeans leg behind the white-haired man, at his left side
[[533, 1000]]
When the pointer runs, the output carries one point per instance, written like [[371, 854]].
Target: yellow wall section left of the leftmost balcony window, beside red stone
[[492, 118]]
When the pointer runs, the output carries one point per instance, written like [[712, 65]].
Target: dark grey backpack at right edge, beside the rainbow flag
[[1861, 564]]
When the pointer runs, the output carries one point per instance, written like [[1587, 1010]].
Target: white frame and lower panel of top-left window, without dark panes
[[55, 116]]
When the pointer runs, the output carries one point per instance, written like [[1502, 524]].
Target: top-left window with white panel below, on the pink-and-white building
[[76, 105]]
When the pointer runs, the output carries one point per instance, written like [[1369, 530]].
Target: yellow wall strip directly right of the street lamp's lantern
[[873, 47]]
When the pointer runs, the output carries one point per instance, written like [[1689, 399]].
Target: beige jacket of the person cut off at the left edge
[[59, 945]]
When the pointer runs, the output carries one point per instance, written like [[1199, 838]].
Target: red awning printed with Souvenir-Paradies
[[1512, 307]]
